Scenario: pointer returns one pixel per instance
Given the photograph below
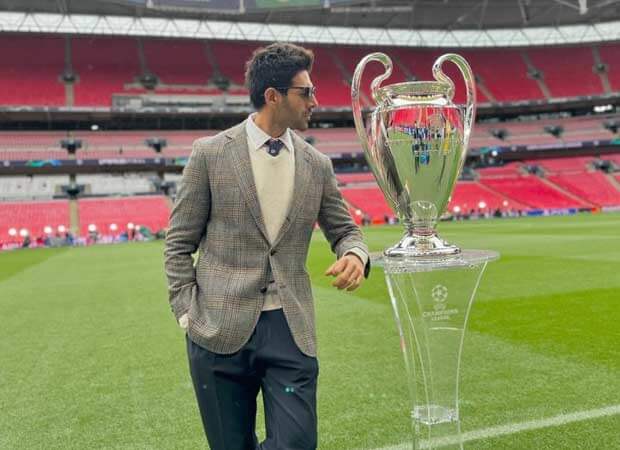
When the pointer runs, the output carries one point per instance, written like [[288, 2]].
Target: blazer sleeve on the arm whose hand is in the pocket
[[187, 227]]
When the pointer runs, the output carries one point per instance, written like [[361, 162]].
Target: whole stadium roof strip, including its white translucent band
[[431, 23]]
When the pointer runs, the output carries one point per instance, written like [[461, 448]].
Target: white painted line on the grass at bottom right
[[512, 428]]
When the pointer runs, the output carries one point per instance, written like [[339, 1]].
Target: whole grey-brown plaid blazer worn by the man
[[217, 213]]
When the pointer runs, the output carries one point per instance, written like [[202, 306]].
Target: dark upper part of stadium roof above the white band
[[407, 14]]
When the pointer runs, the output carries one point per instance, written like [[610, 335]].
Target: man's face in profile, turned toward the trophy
[[296, 107]]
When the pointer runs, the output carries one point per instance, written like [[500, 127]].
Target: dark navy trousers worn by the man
[[227, 386]]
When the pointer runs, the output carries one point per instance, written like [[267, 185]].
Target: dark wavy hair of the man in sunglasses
[[274, 66]]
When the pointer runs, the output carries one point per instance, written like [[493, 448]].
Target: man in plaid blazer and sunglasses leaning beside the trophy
[[249, 199]]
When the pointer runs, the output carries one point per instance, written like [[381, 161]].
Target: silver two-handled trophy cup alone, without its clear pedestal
[[415, 143]]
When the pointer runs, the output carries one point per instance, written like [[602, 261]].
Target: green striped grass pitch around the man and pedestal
[[90, 356]]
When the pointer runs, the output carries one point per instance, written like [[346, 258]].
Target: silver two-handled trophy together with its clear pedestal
[[415, 142]]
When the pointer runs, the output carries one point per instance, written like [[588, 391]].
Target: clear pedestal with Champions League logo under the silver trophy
[[431, 298]]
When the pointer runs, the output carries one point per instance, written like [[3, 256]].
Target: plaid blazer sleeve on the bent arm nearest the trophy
[[335, 221]]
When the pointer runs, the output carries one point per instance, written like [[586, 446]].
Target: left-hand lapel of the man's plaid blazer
[[237, 148]]
